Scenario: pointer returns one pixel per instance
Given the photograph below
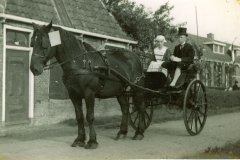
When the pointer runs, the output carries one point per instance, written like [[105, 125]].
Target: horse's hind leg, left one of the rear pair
[[122, 100]]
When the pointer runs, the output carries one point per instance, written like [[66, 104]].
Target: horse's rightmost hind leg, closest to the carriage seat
[[140, 104]]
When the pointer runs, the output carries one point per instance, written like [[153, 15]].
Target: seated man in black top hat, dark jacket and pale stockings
[[182, 57]]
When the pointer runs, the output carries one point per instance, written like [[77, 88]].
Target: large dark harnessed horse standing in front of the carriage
[[84, 80]]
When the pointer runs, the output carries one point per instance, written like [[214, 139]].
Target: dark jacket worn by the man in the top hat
[[186, 53]]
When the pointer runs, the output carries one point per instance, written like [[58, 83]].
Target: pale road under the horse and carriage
[[165, 140]]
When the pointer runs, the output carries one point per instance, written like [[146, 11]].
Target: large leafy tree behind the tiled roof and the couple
[[141, 24]]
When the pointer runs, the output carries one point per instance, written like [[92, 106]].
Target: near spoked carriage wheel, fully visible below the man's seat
[[195, 107]]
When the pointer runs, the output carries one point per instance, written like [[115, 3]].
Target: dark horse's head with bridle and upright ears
[[42, 50]]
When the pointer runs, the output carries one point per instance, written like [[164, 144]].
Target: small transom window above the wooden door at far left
[[17, 38]]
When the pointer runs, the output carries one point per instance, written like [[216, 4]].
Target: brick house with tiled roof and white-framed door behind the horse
[[26, 99]]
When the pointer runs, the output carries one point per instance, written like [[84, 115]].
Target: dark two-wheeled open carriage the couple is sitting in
[[191, 98]]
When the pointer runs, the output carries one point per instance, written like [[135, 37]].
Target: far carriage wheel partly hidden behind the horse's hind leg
[[134, 114]]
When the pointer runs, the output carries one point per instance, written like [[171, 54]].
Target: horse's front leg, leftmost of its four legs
[[77, 102]]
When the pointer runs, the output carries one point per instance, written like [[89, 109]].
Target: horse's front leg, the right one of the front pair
[[90, 101]]
